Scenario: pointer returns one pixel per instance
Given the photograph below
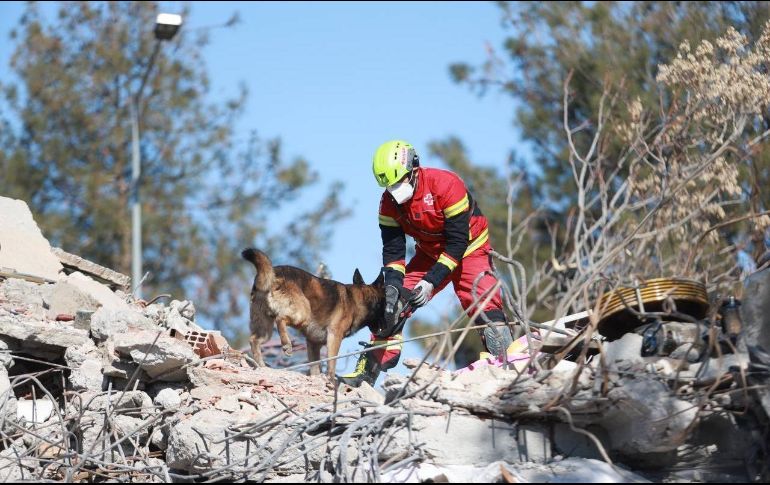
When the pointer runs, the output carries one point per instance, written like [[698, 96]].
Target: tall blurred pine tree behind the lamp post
[[65, 149]]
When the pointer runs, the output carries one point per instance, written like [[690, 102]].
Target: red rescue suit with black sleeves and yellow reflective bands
[[451, 235]]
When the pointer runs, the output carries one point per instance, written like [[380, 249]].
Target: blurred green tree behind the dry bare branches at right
[[604, 44]]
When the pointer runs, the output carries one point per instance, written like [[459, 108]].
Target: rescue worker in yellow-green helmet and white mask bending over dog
[[452, 245]]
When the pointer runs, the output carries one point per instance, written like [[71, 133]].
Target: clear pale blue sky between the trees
[[335, 79]]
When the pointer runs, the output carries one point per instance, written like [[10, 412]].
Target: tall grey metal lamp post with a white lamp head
[[166, 26]]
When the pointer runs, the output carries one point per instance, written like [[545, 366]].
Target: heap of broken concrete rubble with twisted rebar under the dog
[[129, 391]]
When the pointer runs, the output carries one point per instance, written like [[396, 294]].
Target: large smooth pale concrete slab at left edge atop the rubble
[[22, 245]]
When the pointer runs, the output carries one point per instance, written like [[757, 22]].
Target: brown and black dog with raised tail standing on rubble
[[323, 310]]
